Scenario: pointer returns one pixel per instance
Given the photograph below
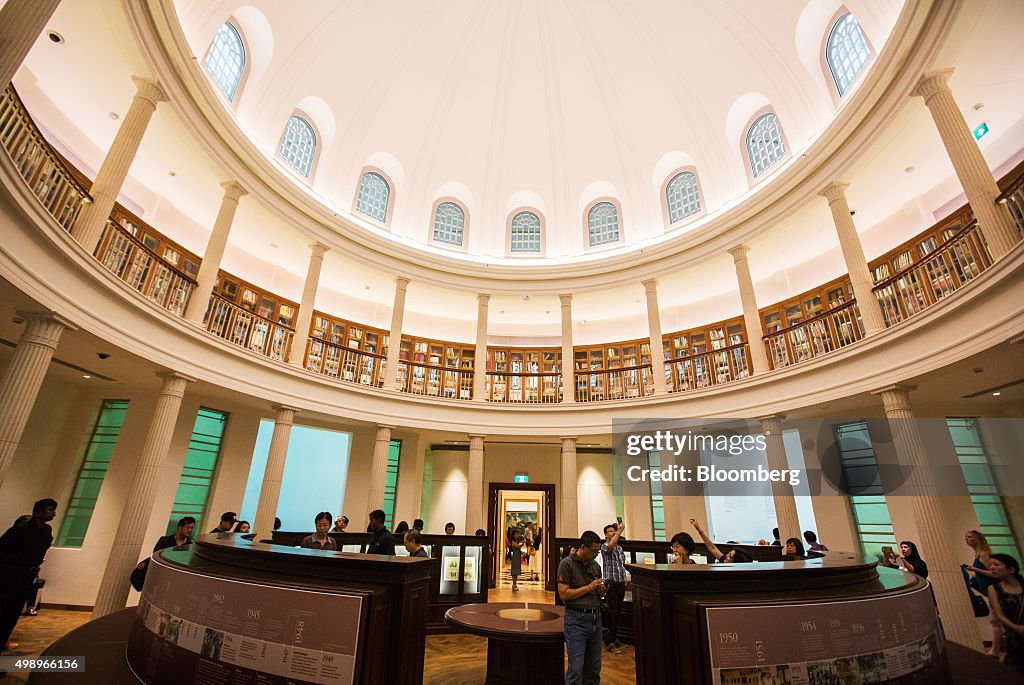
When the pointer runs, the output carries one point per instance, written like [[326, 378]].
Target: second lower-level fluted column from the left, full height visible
[[114, 587]]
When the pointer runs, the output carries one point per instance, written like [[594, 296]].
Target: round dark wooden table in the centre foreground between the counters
[[525, 640]]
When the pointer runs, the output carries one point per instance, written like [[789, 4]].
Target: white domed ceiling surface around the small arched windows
[[539, 105]]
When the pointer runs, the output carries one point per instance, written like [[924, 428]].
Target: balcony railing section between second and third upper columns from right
[[820, 335]]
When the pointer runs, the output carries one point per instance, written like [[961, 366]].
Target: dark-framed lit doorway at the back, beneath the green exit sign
[[529, 507]]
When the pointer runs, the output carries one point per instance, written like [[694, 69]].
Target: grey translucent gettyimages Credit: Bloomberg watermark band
[[821, 457]]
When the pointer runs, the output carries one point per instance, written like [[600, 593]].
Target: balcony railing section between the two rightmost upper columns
[[958, 262]]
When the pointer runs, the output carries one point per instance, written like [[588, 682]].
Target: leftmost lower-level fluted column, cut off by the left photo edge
[[24, 376]]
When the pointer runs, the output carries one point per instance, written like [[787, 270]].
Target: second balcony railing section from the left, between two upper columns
[[144, 270]]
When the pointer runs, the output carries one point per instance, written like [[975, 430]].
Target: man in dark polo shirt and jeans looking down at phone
[[581, 588]]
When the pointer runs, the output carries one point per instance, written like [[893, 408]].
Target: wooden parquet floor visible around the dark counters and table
[[452, 660]]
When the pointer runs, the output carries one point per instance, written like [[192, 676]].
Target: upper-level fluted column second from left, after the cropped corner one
[[111, 178]]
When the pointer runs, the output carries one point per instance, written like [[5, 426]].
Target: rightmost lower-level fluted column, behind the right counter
[[936, 531]]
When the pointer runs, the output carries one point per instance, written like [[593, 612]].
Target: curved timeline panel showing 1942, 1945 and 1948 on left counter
[[212, 631]]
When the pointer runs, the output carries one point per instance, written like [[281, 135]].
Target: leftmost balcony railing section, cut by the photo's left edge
[[41, 168]]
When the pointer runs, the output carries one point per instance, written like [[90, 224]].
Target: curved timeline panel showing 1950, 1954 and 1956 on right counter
[[880, 640]]
